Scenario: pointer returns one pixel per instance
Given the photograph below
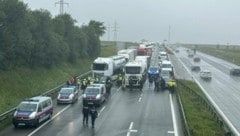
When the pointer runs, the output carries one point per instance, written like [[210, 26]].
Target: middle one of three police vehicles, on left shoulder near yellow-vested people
[[68, 94]]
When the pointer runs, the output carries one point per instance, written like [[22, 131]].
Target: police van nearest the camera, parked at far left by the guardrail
[[33, 111]]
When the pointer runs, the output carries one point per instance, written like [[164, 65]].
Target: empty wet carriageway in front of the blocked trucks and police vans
[[125, 113]]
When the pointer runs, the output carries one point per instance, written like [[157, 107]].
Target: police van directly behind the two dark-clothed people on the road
[[94, 94]]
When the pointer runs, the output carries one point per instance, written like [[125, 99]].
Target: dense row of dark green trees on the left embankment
[[36, 39]]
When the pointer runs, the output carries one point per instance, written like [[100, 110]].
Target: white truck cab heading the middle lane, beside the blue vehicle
[[135, 72]]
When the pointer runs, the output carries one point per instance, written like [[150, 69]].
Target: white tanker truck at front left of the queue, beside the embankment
[[108, 66]]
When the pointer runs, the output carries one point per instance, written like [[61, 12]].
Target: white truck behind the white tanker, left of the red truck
[[129, 54]]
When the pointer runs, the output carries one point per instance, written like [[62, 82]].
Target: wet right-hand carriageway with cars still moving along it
[[223, 89]]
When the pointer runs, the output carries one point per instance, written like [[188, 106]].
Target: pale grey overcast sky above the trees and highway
[[190, 21]]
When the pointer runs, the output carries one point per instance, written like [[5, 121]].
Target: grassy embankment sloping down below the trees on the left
[[23, 83]]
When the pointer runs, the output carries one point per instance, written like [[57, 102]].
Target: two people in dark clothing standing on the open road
[[89, 111]]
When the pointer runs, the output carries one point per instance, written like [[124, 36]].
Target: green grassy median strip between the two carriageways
[[200, 120]]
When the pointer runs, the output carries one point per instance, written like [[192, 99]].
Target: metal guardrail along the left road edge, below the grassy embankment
[[10, 112]]
